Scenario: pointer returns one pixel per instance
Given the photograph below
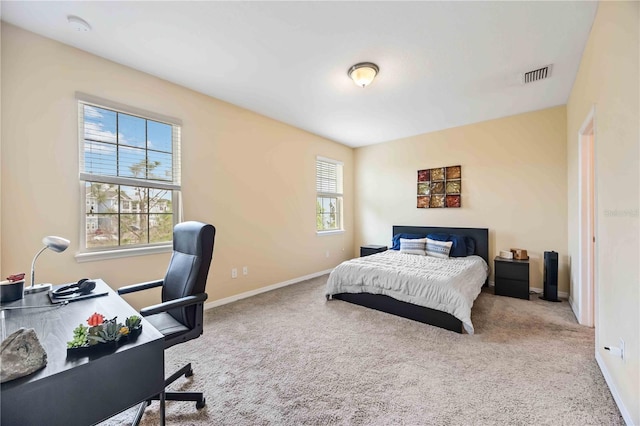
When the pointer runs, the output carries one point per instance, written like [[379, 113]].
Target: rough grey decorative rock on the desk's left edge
[[21, 354]]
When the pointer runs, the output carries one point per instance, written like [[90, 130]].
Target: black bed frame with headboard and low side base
[[430, 316]]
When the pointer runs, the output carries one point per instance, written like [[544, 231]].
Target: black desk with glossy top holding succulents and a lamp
[[80, 390]]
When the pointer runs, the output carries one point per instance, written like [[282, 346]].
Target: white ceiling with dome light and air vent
[[442, 64]]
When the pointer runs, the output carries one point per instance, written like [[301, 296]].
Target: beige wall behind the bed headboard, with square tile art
[[513, 182]]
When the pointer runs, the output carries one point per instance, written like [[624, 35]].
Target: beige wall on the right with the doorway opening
[[608, 78]]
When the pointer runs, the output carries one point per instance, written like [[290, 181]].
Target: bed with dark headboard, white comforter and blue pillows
[[379, 273]]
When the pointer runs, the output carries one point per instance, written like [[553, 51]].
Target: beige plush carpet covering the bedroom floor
[[288, 357]]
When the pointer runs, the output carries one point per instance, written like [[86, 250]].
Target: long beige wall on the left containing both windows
[[250, 176]]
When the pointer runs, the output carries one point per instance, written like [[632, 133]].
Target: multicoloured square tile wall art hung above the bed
[[440, 187]]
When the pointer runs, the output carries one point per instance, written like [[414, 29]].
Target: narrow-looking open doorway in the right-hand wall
[[587, 238]]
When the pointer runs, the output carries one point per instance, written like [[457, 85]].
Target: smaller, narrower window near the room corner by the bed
[[328, 195]]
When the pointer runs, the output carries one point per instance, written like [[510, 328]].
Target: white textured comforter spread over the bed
[[449, 285]]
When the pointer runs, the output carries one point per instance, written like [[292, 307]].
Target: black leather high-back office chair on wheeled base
[[179, 316]]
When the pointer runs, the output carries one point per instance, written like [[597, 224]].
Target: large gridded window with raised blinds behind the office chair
[[130, 175]]
